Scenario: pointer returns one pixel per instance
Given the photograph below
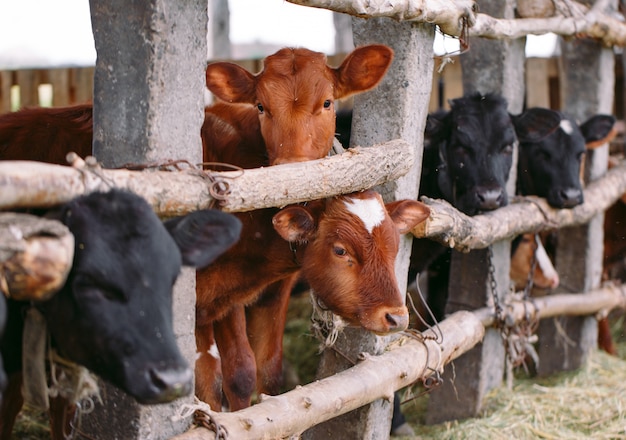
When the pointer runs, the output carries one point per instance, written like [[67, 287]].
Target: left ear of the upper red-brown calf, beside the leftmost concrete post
[[231, 83]]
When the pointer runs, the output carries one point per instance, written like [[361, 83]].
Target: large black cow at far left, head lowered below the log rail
[[114, 314]]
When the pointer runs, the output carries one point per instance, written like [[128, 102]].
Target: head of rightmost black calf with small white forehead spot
[[551, 152]]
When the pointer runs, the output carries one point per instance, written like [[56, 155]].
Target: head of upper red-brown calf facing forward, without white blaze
[[295, 95]]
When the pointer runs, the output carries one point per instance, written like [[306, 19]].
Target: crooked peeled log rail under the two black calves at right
[[455, 229]]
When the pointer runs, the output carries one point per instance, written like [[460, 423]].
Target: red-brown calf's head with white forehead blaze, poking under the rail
[[350, 255]]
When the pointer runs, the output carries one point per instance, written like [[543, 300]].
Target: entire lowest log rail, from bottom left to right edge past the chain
[[406, 361]]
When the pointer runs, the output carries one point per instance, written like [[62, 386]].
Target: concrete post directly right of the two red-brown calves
[[397, 108]]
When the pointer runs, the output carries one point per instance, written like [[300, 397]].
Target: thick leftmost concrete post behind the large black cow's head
[[148, 106]]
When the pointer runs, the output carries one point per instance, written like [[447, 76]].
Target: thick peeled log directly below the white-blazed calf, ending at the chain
[[406, 361]]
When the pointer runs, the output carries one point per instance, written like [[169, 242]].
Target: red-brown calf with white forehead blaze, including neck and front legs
[[344, 247]]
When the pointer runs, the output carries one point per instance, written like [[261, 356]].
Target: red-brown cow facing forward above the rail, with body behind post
[[283, 114]]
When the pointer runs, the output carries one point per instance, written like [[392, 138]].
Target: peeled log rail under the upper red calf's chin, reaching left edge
[[32, 184]]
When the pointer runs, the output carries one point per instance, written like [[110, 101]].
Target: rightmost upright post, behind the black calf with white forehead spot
[[587, 87]]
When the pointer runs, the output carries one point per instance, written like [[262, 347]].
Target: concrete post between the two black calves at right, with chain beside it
[[490, 66]]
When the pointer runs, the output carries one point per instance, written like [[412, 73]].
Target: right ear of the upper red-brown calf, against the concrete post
[[362, 70]]
